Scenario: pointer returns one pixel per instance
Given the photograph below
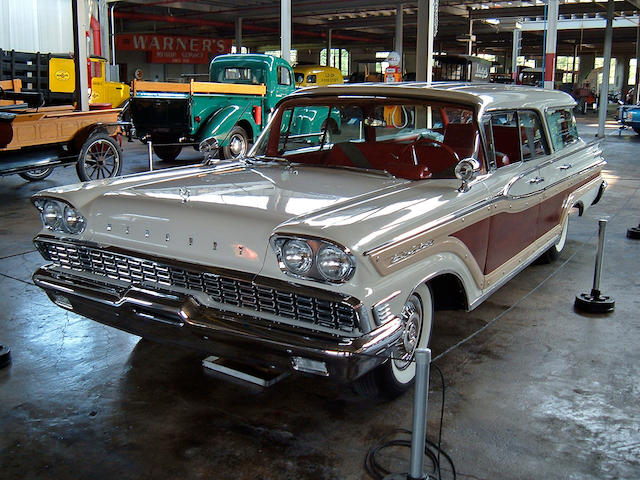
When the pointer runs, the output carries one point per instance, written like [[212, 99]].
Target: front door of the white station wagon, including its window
[[515, 184]]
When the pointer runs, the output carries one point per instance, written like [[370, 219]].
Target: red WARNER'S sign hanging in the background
[[174, 49]]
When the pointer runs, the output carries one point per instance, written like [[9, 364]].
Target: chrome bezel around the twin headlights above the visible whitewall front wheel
[[316, 245]]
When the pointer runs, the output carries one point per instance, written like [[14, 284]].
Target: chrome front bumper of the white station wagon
[[180, 319]]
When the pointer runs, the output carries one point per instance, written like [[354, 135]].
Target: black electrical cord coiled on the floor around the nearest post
[[432, 450]]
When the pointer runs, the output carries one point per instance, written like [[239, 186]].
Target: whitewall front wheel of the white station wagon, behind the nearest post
[[396, 376]]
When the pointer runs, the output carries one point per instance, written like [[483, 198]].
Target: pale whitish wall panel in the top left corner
[[36, 26]]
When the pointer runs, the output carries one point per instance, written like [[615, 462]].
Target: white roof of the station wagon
[[485, 96]]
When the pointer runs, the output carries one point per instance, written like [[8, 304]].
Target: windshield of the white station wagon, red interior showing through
[[407, 139]]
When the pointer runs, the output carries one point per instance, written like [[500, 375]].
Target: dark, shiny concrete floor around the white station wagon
[[542, 392]]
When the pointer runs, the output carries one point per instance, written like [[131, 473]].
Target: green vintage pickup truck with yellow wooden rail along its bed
[[232, 107]]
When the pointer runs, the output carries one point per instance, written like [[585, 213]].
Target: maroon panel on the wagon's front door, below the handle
[[509, 234]]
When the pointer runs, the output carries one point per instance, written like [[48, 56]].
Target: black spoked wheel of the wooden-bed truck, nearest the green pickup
[[100, 157]]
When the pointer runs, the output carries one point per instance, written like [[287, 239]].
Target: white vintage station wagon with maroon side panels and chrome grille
[[327, 252]]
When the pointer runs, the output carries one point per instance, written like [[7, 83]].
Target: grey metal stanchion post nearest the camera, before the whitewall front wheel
[[420, 403]]
